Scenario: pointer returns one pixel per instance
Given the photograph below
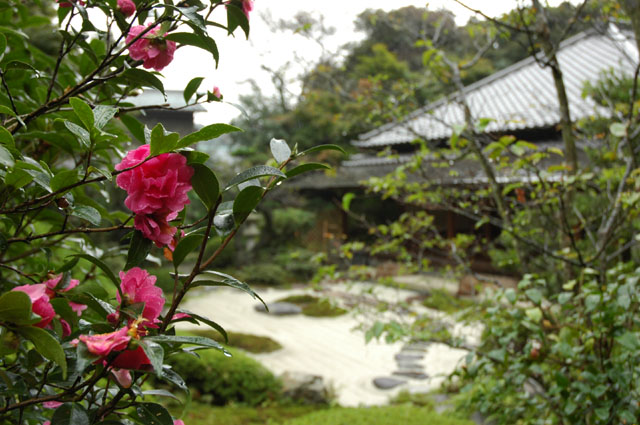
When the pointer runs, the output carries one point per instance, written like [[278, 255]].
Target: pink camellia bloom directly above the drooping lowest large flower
[[138, 286]]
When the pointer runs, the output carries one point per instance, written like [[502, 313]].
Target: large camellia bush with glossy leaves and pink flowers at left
[[82, 323]]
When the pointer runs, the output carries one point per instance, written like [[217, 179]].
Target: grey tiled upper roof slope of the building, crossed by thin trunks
[[521, 96]]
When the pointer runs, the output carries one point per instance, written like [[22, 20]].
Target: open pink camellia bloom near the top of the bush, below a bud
[[152, 48]]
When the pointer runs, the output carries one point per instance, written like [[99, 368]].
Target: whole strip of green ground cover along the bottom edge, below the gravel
[[201, 414]]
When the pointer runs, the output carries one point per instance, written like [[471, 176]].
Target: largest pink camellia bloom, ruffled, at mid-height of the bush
[[159, 186]]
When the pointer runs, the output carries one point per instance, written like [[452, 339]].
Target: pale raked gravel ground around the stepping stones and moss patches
[[333, 347]]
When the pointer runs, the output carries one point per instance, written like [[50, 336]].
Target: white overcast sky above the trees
[[241, 60]]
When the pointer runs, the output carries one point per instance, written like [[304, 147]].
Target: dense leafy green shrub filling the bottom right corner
[[570, 357]]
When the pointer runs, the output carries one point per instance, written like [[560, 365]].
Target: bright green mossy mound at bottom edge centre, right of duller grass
[[388, 415]]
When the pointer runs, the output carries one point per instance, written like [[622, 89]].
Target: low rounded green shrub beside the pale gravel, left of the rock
[[222, 380]]
